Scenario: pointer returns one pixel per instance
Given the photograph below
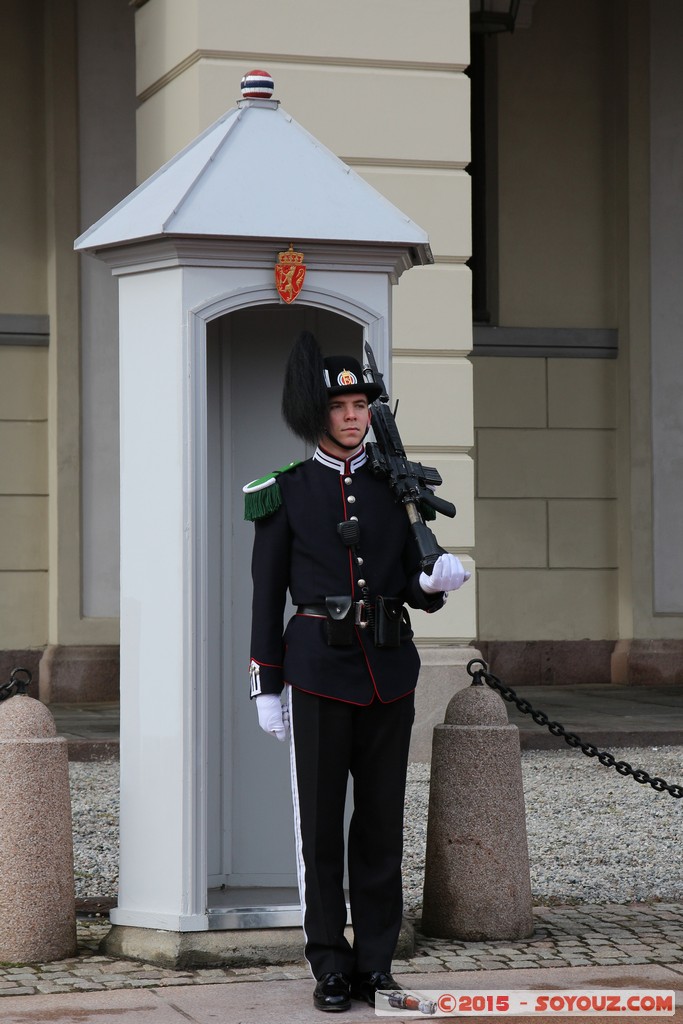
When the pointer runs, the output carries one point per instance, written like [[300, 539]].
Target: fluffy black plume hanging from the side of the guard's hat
[[305, 394]]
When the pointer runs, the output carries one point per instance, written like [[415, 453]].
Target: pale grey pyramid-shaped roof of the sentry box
[[255, 174]]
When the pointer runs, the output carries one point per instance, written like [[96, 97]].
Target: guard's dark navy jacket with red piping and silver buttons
[[297, 547]]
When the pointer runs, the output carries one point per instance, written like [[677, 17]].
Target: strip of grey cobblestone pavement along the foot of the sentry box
[[565, 936]]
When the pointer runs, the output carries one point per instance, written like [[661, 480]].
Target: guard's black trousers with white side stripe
[[330, 740]]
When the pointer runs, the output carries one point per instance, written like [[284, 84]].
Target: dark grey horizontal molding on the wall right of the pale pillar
[[551, 343]]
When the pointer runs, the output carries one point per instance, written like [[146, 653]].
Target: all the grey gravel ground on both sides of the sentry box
[[594, 837]]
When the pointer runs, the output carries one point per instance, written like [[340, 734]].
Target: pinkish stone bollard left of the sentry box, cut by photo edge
[[37, 902]]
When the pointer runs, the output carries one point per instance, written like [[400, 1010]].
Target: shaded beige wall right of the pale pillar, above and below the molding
[[565, 447]]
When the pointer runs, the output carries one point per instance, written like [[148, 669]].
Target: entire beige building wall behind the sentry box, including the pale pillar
[[564, 447]]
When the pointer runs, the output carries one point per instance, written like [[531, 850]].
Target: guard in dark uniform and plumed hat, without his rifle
[[329, 532]]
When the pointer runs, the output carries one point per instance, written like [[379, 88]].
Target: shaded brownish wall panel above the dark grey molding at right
[[558, 90]]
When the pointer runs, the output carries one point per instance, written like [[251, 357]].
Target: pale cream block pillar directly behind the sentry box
[[377, 83]]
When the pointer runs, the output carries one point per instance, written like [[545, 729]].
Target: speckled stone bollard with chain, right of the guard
[[478, 884]]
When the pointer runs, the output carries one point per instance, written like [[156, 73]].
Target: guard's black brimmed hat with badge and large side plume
[[311, 380]]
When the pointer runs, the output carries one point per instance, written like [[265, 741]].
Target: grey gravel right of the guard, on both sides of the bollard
[[594, 837]]
